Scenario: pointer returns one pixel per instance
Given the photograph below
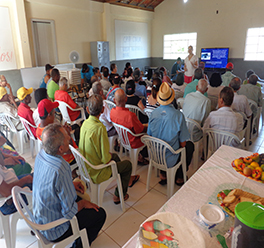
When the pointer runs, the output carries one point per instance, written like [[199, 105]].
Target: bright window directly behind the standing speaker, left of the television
[[176, 45]]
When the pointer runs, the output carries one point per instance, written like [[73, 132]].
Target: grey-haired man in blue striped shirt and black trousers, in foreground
[[54, 195]]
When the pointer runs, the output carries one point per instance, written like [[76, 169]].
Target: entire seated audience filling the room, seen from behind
[[221, 102]]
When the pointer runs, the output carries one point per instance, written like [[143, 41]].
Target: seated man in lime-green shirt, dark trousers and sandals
[[94, 146]]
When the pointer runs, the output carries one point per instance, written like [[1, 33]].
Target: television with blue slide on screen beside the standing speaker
[[215, 57]]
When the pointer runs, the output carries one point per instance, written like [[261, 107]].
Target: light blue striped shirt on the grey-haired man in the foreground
[[53, 193]]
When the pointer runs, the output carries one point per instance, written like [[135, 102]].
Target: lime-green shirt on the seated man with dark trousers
[[94, 146]]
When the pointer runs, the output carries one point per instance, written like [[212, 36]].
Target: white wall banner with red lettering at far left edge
[[7, 52]]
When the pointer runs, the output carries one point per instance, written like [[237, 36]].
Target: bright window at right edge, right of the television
[[254, 49]]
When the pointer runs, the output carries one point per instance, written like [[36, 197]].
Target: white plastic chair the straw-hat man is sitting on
[[157, 158]]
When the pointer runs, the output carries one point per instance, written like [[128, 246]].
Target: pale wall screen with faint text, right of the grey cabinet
[[131, 40]]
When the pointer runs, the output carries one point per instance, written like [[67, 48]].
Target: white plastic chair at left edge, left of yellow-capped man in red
[[6, 120]]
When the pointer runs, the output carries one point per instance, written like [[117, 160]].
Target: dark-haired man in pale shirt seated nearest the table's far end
[[225, 118]]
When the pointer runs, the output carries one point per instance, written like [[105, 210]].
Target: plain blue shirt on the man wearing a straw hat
[[169, 125]]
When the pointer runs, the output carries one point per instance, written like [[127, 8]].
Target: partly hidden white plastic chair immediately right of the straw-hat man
[[193, 126]]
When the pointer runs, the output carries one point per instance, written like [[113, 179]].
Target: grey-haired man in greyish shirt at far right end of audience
[[251, 90]]
